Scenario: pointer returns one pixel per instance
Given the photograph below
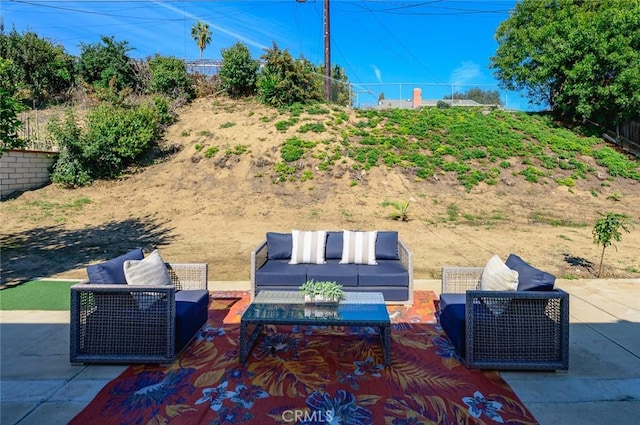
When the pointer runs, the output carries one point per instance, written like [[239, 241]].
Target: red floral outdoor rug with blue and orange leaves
[[310, 375]]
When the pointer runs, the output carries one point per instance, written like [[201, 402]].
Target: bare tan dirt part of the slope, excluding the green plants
[[217, 209]]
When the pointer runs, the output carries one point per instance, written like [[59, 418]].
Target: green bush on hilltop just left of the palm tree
[[169, 77]]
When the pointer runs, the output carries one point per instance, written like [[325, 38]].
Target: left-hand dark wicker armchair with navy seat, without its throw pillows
[[110, 325]]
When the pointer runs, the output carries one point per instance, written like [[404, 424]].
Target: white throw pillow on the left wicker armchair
[[149, 271]]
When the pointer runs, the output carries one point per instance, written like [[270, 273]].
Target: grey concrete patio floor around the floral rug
[[38, 384]]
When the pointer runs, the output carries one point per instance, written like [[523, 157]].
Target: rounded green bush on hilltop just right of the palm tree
[[239, 72]]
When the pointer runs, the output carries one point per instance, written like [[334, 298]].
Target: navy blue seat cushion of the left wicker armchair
[[192, 310]]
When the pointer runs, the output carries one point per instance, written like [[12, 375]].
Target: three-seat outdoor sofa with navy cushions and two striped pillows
[[385, 265]]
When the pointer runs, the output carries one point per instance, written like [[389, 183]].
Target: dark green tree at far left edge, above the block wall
[[10, 107]]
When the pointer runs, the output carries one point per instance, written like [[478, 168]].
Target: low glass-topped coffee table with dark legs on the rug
[[289, 308]]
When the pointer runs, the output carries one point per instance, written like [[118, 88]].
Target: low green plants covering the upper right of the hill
[[476, 145]]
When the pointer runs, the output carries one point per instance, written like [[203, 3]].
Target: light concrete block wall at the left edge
[[24, 170]]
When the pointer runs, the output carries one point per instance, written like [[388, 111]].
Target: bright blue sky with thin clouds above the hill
[[385, 47]]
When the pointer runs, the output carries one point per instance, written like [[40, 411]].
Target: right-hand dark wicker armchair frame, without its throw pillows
[[530, 330]]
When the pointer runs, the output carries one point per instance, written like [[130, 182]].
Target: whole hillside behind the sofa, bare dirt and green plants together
[[225, 184]]
